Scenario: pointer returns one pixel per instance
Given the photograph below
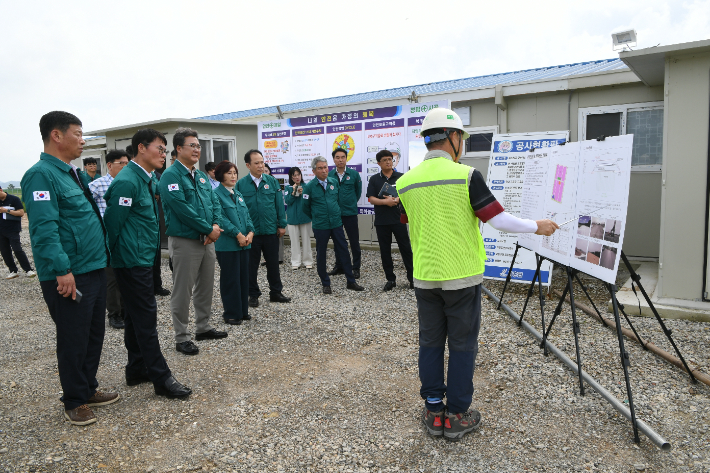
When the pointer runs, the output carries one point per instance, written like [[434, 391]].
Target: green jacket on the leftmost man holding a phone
[[66, 229]]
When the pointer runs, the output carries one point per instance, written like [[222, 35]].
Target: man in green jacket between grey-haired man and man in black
[[350, 185]]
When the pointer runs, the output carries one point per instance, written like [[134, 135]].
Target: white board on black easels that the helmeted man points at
[[584, 187]]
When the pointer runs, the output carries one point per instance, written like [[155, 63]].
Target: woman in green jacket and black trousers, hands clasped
[[231, 248]]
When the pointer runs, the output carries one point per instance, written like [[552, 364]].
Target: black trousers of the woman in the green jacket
[[234, 283]]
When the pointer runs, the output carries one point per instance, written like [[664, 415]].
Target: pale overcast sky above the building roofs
[[125, 62]]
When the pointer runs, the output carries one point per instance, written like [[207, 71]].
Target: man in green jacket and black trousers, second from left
[[132, 222]]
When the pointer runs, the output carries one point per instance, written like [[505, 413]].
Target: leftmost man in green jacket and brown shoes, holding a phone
[[70, 253]]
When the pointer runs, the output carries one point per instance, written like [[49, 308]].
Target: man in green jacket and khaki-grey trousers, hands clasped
[[192, 213]]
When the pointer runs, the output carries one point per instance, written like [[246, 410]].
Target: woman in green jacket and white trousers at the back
[[299, 225]]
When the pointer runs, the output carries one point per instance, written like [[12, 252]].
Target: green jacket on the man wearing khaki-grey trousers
[[191, 208]]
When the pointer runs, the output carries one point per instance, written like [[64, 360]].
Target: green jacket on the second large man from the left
[[131, 219]]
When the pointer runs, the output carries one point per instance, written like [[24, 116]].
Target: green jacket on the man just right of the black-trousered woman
[[266, 205]]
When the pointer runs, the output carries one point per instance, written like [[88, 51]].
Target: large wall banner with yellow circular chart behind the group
[[363, 133]]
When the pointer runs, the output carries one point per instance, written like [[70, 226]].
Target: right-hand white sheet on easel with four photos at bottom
[[602, 202]]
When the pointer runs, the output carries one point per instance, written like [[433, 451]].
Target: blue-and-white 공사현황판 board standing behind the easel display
[[506, 170]]
